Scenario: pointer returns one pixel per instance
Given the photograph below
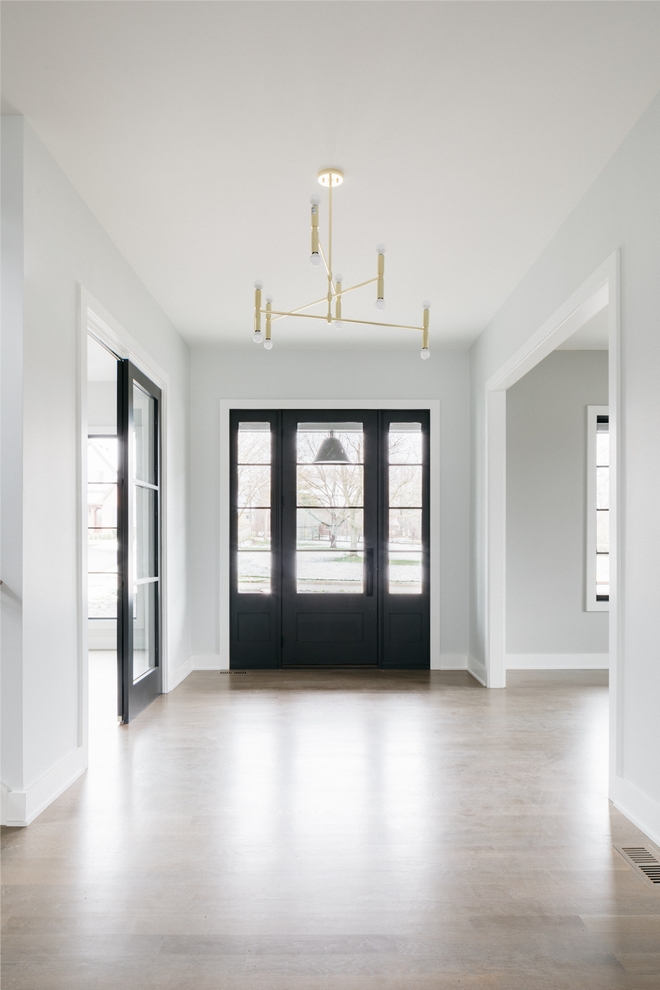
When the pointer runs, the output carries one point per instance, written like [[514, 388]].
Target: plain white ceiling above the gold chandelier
[[467, 132]]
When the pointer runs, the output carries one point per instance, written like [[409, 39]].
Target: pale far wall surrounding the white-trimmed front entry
[[298, 374]]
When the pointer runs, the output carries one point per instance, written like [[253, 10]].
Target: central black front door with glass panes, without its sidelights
[[329, 538]]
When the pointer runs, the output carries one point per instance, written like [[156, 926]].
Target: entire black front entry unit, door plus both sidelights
[[329, 538]]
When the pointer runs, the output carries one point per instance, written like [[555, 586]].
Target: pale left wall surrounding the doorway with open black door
[[63, 248]]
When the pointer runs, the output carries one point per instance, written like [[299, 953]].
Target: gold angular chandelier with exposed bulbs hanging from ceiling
[[331, 178]]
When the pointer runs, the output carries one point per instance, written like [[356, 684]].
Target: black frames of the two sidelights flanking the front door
[[265, 649]]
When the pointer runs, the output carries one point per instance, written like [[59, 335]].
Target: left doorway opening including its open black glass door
[[123, 537]]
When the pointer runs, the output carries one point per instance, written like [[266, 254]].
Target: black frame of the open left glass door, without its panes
[[134, 696]]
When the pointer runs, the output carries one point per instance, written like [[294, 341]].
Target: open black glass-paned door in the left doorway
[[139, 513]]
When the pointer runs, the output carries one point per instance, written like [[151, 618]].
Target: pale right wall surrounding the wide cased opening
[[621, 210]]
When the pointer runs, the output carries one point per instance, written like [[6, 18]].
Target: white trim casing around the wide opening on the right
[[599, 290]]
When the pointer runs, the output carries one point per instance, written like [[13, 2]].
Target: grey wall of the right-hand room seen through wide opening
[[546, 464]]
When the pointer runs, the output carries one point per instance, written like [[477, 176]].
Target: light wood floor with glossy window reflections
[[336, 831]]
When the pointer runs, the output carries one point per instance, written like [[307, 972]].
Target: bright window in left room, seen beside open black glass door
[[102, 527]]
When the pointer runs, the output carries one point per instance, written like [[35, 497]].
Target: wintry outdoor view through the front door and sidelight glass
[[330, 513]]
